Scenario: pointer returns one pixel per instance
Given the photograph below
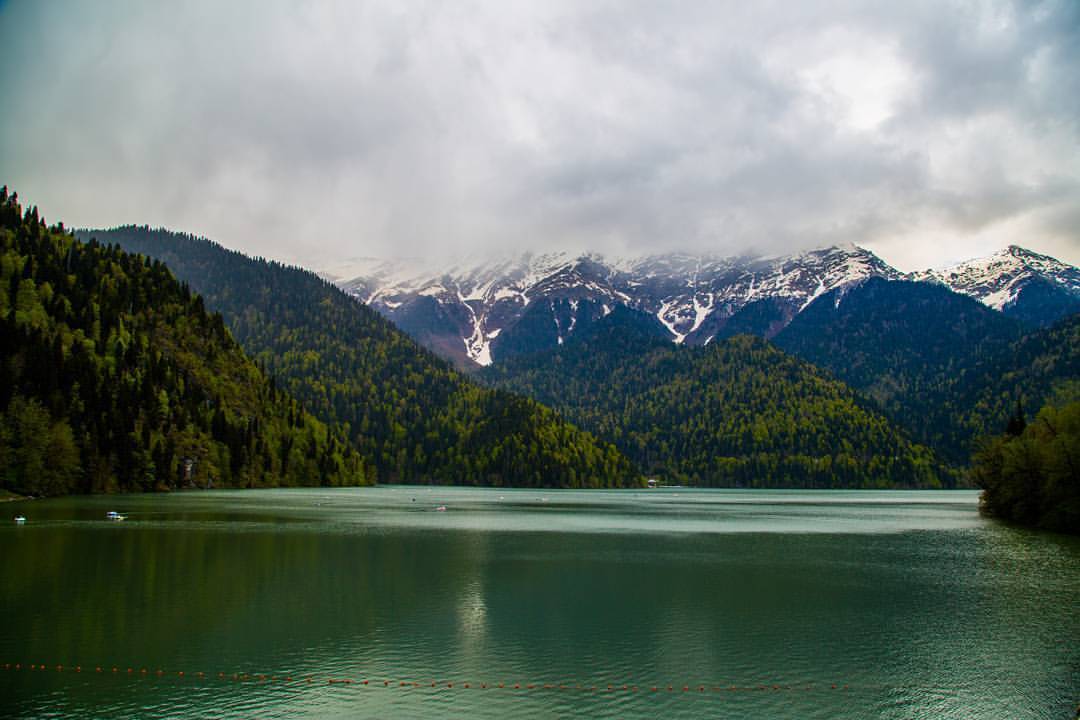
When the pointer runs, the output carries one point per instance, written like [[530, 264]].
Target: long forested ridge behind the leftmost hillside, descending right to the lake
[[411, 414]]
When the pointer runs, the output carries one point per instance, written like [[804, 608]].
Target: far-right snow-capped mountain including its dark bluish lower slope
[[1033, 288]]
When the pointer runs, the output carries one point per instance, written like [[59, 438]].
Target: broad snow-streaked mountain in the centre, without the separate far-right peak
[[478, 313]]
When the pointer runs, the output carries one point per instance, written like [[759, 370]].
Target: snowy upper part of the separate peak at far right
[[1001, 280]]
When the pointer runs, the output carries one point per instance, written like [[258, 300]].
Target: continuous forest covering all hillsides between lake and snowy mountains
[[157, 360]]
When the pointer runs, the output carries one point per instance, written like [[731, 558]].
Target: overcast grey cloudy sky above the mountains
[[314, 132]]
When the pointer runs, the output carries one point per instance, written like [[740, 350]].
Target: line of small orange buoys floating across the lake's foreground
[[328, 681]]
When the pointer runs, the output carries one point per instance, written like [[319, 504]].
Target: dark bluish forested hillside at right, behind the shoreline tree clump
[[940, 364]]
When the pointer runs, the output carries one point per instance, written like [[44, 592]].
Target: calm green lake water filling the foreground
[[731, 604]]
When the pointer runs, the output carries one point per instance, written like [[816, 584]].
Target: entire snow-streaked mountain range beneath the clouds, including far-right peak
[[477, 314]]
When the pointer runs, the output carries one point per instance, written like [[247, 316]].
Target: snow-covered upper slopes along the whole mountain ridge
[[691, 295]]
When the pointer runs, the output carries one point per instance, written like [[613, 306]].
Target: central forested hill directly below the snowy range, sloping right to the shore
[[734, 413]]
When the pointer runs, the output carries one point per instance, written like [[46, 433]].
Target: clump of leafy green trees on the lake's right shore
[[1032, 473]]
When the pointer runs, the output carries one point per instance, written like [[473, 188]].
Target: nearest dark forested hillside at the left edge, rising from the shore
[[115, 377]]
